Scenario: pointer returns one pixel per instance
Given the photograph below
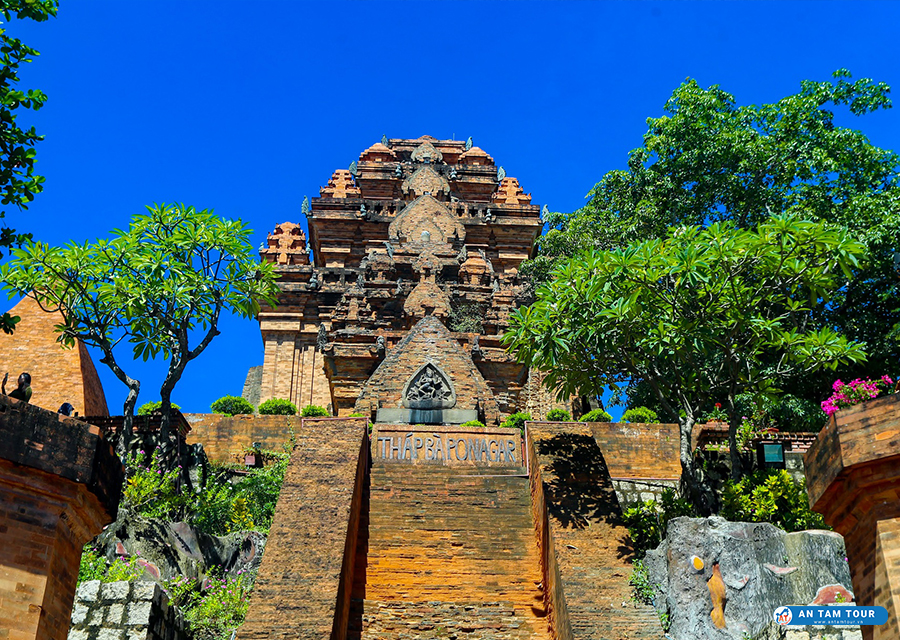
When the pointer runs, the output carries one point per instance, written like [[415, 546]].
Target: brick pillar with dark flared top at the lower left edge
[[59, 485]]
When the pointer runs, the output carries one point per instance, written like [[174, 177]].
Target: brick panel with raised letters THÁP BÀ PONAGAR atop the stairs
[[448, 446]]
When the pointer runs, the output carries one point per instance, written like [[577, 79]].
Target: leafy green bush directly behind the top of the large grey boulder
[[770, 495]]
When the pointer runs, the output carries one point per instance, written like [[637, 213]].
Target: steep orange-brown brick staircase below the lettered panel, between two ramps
[[449, 554]]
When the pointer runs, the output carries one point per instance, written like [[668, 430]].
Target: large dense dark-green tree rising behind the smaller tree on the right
[[709, 160]]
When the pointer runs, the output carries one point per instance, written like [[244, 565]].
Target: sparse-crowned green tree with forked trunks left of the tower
[[161, 285]]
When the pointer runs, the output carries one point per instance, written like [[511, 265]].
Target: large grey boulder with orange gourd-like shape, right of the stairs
[[761, 568]]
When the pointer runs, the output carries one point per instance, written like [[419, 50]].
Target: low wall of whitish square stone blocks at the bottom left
[[124, 611]]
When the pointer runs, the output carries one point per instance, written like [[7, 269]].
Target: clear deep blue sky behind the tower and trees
[[246, 107]]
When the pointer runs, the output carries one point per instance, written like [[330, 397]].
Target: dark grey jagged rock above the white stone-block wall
[[168, 549]]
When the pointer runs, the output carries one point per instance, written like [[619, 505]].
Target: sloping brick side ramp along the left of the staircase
[[307, 562]]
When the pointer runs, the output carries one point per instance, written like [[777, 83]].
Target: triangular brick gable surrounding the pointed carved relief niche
[[428, 341]]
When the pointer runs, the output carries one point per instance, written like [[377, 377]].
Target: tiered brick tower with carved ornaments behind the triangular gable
[[415, 228]]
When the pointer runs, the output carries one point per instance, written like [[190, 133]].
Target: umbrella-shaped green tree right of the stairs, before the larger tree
[[700, 314]]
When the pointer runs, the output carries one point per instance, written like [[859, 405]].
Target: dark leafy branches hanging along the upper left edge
[[18, 182]]
